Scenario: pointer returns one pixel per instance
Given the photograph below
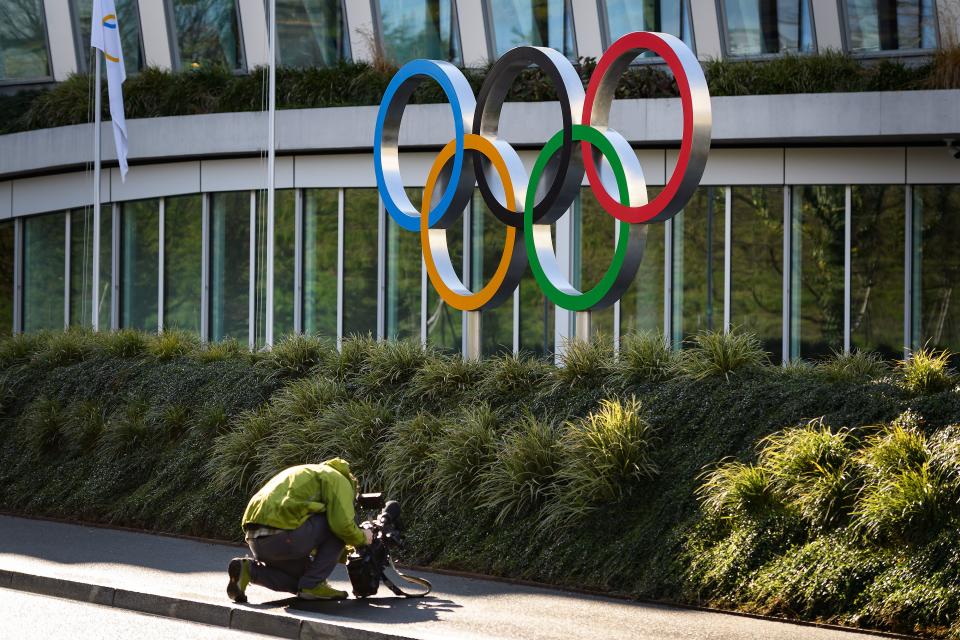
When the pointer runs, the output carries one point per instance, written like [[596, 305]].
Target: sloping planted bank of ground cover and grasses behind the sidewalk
[[826, 491]]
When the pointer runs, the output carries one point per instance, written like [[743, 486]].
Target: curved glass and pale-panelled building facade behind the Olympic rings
[[823, 222]]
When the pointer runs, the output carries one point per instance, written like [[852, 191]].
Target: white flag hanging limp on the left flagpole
[[105, 35]]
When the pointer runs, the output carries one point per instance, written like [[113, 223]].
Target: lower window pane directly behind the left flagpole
[[81, 266]]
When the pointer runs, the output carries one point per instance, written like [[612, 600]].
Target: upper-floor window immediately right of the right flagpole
[[311, 33]]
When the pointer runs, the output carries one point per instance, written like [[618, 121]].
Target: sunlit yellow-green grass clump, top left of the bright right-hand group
[[812, 468]]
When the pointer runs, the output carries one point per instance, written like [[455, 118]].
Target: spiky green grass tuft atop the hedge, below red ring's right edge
[[714, 353]]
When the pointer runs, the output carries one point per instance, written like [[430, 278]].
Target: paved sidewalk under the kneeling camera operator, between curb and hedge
[[459, 608]]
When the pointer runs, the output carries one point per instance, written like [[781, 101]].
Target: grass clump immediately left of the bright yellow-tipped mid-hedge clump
[[517, 480]]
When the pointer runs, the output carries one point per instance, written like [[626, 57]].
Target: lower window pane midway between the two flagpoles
[[183, 242]]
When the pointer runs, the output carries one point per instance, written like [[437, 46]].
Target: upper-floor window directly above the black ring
[[542, 23]]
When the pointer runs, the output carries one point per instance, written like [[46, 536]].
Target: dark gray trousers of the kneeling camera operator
[[283, 561]]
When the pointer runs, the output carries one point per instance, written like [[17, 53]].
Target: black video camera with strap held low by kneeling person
[[366, 564]]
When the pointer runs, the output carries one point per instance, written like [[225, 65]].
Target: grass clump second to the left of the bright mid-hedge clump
[[464, 447]]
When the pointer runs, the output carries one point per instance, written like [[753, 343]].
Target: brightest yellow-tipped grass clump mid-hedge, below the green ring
[[606, 456]]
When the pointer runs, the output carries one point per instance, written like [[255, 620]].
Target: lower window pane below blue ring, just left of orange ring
[[403, 277]]
